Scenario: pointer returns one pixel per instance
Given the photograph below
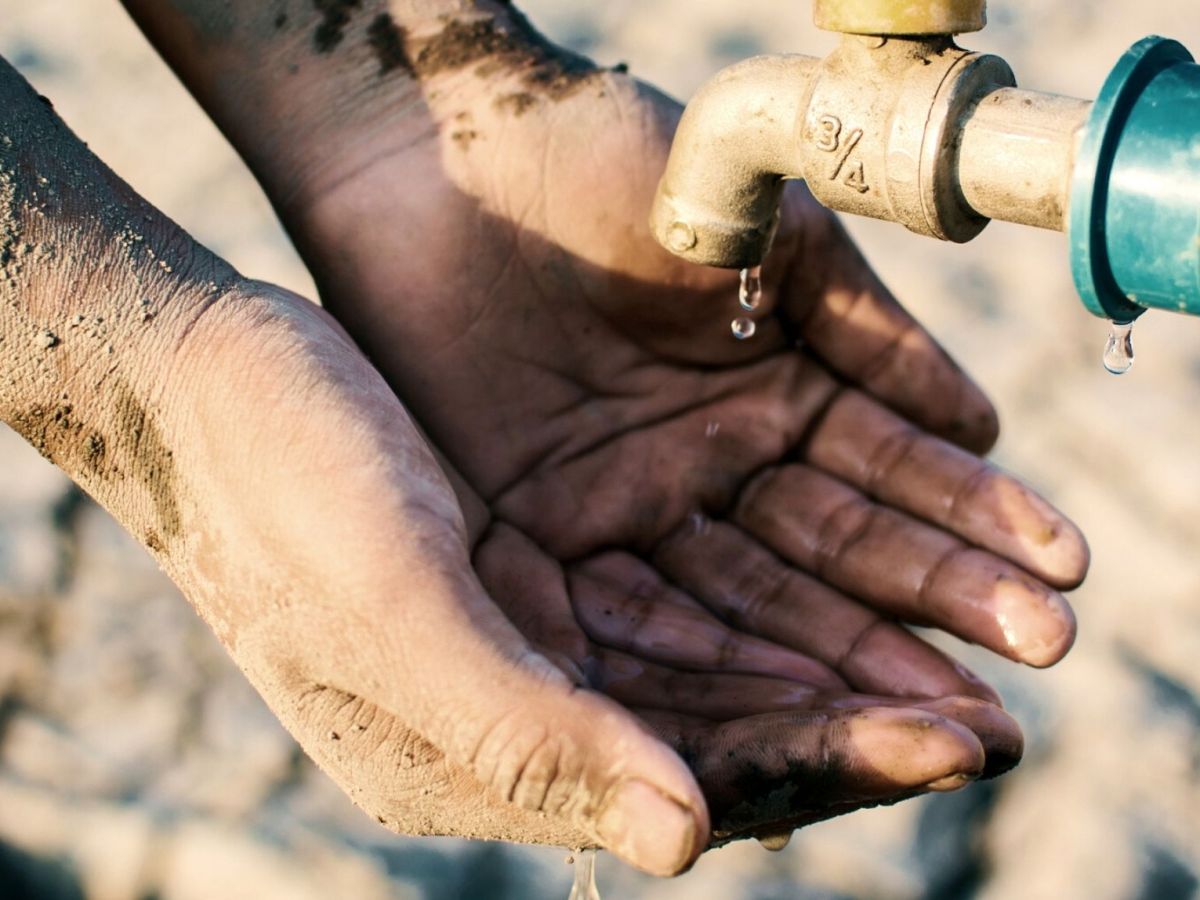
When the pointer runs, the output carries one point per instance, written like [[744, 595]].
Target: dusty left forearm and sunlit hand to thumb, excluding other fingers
[[239, 434]]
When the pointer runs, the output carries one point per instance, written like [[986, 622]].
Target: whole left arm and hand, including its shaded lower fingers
[[241, 434]]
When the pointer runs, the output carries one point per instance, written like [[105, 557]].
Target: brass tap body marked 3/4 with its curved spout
[[873, 129]]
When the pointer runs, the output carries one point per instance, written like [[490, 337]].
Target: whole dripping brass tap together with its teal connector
[[902, 124]]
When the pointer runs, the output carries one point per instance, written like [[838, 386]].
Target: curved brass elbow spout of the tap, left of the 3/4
[[718, 203]]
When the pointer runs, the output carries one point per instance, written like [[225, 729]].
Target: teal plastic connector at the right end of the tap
[[1135, 223]]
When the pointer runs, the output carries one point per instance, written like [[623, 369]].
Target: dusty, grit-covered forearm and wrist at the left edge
[[98, 292]]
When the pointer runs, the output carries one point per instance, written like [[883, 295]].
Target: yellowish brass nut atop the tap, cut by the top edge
[[902, 17]]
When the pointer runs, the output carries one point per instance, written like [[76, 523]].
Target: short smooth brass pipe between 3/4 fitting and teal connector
[[1017, 157]]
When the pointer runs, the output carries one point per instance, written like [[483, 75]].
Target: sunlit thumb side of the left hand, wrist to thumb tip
[[323, 543]]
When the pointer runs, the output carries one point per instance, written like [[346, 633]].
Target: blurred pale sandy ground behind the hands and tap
[[136, 764]]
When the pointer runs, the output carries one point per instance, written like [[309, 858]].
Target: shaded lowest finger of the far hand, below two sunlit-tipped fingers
[[748, 586]]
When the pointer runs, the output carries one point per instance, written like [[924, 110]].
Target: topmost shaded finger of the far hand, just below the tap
[[854, 323]]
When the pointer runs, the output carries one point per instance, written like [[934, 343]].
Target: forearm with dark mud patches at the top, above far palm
[[291, 82]]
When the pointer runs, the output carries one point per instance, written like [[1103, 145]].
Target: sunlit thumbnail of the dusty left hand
[[647, 830]]
